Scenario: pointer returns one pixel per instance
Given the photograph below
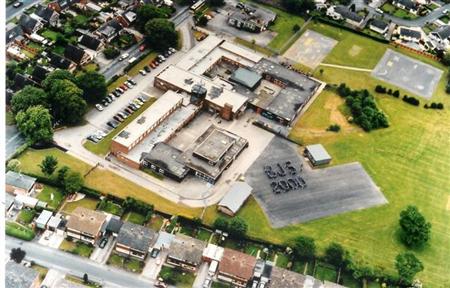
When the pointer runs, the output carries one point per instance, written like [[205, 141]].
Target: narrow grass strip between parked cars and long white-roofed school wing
[[102, 147]]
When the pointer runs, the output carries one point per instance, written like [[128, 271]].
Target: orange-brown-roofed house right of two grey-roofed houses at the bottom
[[236, 268]]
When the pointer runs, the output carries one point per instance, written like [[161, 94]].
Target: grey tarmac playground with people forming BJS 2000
[[329, 191]]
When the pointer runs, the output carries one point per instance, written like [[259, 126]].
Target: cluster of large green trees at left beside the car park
[[62, 99]]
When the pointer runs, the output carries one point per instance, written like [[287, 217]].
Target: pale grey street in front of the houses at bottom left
[[75, 265]]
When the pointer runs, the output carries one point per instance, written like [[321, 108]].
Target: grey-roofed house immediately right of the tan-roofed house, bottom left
[[135, 240]]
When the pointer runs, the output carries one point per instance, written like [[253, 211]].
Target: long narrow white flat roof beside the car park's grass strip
[[133, 131]]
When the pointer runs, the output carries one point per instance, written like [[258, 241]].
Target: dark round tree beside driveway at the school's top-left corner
[[161, 34]]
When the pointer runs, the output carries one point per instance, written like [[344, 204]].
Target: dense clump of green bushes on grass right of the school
[[363, 107]]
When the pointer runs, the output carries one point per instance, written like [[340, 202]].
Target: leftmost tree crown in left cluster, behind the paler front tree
[[27, 97]]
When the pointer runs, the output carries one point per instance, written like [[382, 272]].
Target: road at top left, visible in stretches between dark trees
[[116, 66]]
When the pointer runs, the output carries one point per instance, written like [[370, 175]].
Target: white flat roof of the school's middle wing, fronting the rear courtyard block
[[185, 80]]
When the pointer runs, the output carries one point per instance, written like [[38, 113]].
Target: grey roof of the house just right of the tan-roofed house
[[136, 236]]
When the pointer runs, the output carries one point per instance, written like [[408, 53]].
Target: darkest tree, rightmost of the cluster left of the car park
[[93, 85]]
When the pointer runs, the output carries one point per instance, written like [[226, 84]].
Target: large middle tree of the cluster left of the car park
[[67, 102]]
